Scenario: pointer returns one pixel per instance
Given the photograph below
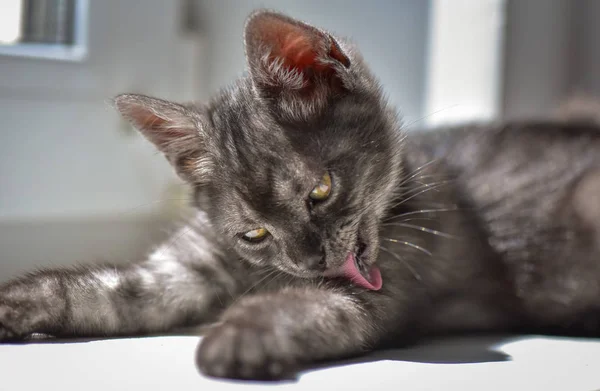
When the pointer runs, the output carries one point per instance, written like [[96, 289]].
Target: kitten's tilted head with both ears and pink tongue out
[[294, 164]]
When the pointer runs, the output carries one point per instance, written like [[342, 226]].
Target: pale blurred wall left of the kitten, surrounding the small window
[[76, 184]]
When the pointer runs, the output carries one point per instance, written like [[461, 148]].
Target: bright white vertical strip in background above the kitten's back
[[474, 54]]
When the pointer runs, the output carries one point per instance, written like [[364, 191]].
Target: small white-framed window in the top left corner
[[52, 29]]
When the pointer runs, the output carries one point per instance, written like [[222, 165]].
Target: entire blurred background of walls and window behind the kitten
[[78, 184]]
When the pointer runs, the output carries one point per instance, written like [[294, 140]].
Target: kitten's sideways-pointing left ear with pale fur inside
[[173, 129]]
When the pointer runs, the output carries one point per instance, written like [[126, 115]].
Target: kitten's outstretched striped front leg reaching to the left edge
[[157, 295]]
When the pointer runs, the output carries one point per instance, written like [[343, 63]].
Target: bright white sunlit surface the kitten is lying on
[[167, 363]]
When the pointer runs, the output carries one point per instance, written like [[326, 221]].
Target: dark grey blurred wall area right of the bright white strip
[[552, 52]]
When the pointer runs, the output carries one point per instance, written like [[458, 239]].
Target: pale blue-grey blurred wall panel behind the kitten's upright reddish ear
[[391, 34]]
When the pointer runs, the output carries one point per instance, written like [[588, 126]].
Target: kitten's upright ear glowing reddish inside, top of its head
[[291, 60]]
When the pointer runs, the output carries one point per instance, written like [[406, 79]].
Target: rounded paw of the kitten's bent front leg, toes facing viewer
[[244, 350]]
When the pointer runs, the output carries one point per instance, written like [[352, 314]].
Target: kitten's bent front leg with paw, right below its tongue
[[268, 336]]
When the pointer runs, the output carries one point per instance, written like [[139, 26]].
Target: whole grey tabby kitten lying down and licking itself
[[323, 231]]
